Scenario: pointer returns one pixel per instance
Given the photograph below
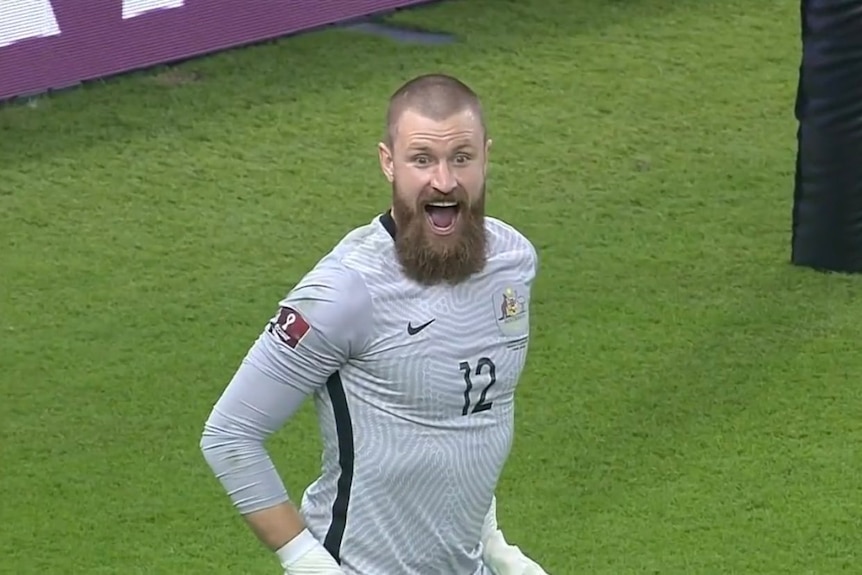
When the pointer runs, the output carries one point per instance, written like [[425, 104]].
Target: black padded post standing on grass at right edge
[[827, 207]]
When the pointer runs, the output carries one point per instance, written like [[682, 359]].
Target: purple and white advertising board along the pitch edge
[[51, 44]]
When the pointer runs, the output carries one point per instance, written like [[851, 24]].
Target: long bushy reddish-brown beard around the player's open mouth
[[430, 259]]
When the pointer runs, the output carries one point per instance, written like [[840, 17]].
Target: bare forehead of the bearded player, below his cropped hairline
[[415, 130]]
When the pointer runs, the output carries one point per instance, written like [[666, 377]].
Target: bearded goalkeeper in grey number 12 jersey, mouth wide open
[[410, 335]]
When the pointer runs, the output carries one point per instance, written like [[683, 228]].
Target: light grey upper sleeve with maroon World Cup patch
[[318, 327]]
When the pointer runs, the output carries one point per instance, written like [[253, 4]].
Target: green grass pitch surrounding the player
[[692, 403]]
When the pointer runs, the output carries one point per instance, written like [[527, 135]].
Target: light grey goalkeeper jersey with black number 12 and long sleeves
[[414, 390]]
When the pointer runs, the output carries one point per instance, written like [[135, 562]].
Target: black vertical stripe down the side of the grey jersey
[[344, 430]]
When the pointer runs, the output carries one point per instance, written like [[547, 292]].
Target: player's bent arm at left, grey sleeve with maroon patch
[[318, 326]]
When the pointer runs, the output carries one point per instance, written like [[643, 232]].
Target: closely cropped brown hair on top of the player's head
[[434, 96]]
